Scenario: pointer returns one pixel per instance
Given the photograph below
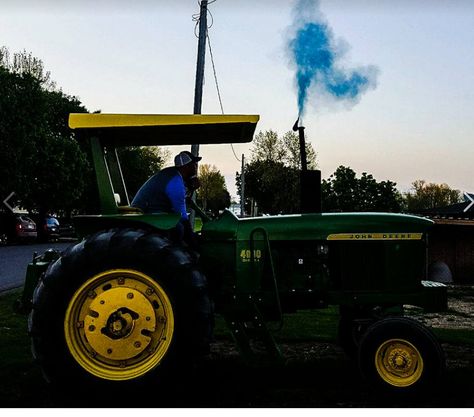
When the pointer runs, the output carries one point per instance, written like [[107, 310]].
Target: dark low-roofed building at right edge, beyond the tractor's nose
[[451, 242]]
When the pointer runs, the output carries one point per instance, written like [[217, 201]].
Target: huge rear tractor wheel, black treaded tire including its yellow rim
[[120, 305]]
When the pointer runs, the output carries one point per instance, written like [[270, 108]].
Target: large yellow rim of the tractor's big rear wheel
[[119, 324]]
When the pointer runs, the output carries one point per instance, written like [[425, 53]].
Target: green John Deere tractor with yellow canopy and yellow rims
[[129, 301]]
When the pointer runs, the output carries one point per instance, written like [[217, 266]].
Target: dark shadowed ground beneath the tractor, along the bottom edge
[[315, 375]]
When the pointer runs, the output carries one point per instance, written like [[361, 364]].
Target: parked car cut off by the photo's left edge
[[16, 228]]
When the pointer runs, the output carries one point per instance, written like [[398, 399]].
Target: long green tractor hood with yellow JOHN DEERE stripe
[[321, 226]]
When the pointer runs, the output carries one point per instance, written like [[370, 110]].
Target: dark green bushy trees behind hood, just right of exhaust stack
[[344, 192]]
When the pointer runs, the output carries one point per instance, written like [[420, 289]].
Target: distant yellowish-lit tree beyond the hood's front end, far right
[[430, 195]]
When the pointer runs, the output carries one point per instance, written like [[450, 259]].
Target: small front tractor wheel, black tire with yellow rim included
[[400, 354]]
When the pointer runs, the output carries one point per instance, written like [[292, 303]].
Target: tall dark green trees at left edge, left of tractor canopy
[[39, 159]]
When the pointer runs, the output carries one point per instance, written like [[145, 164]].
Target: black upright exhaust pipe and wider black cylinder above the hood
[[310, 180]]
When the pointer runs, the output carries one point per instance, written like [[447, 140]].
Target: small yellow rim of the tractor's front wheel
[[399, 363]]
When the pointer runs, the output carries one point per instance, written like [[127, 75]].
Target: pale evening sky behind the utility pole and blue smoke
[[140, 57]]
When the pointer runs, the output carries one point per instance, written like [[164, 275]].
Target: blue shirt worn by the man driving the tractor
[[164, 192]]
